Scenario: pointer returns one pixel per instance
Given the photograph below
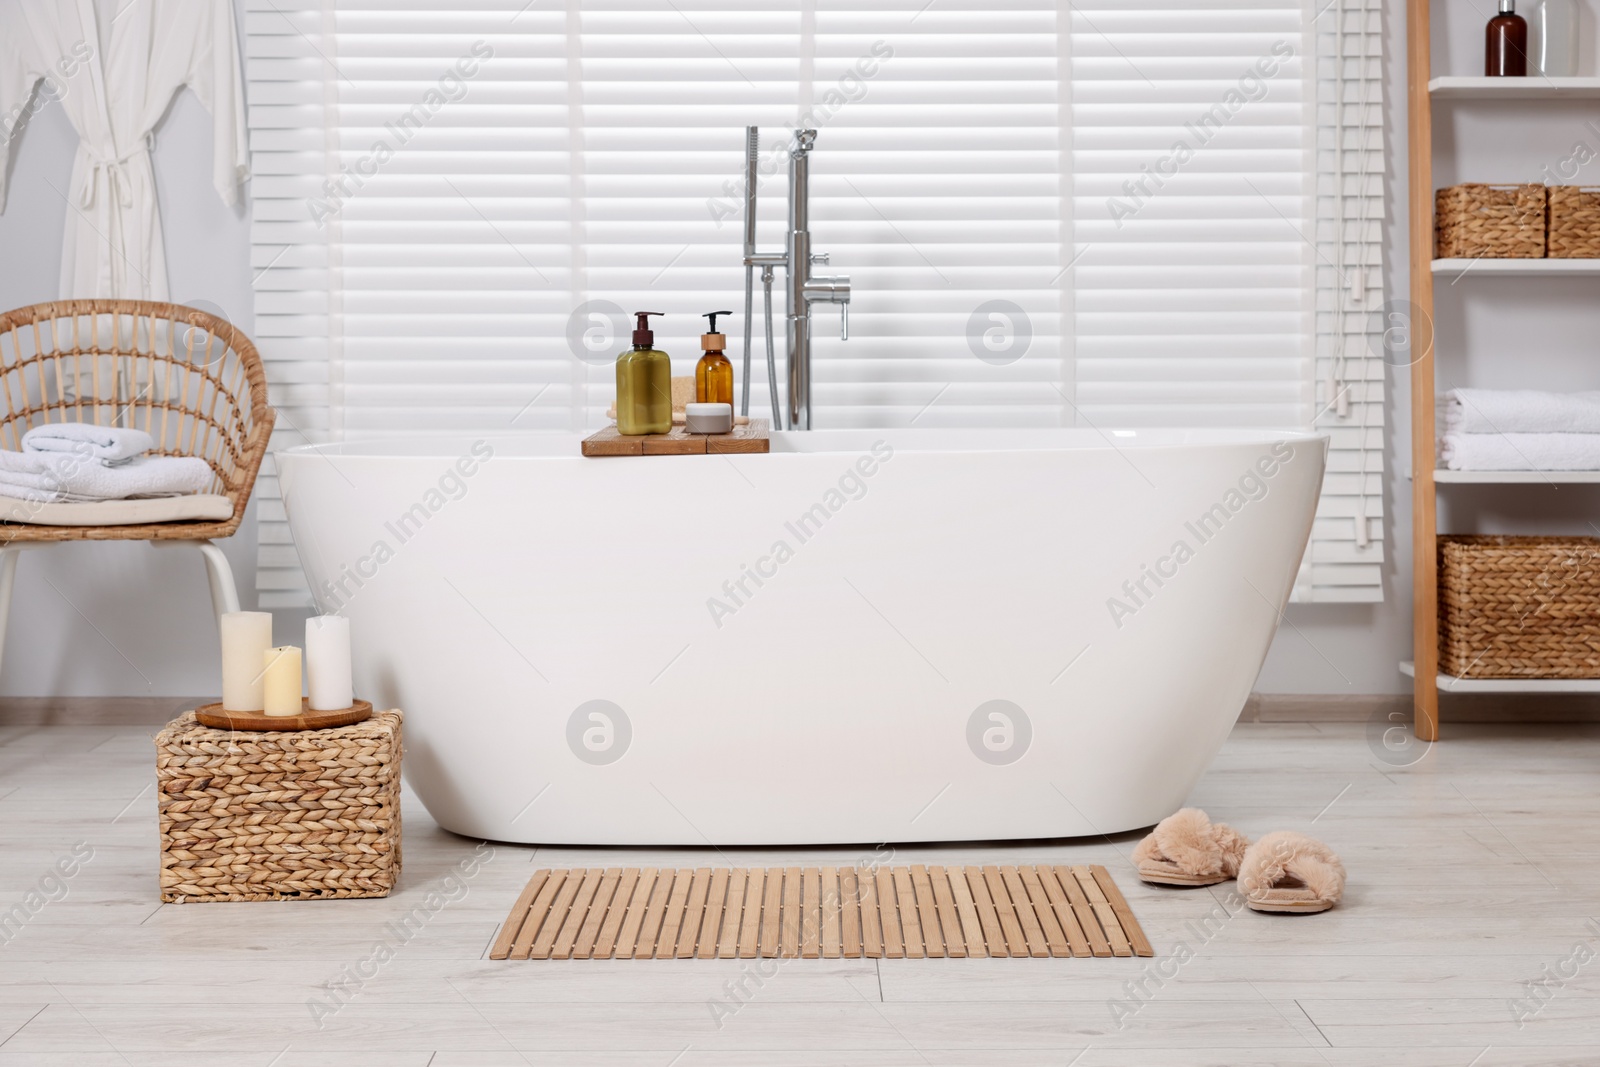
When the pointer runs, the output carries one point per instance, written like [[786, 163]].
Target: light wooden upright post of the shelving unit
[[1425, 514]]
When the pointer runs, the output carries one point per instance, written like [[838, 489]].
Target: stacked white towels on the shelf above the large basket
[[1521, 430]]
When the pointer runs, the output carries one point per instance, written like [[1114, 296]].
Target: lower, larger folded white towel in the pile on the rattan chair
[[68, 478]]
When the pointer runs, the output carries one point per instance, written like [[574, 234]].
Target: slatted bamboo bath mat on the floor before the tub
[[820, 913]]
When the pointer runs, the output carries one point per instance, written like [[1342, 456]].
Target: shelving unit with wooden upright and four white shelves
[[1422, 94]]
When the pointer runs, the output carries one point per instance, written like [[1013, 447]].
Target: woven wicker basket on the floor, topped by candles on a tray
[[273, 817]]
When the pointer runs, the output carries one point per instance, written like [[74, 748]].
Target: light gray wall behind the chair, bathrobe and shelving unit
[[126, 620]]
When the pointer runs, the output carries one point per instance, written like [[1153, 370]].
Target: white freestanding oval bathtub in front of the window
[[865, 636]]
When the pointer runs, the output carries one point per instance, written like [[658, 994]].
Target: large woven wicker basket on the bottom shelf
[[1519, 607]]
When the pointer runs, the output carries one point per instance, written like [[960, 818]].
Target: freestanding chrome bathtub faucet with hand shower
[[806, 289]]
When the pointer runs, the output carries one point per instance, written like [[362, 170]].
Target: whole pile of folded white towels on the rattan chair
[[76, 463]]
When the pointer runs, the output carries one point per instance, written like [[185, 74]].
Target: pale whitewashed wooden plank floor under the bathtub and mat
[[1470, 938]]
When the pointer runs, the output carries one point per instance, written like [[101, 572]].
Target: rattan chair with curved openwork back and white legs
[[190, 380]]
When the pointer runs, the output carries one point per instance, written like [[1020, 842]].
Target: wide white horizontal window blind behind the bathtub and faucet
[[457, 206]]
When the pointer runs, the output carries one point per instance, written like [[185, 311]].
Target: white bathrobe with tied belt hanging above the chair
[[116, 66]]
